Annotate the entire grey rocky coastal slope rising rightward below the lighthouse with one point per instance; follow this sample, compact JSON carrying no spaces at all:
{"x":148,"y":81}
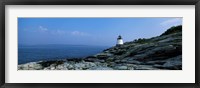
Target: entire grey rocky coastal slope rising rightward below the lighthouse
{"x":156,"y":53}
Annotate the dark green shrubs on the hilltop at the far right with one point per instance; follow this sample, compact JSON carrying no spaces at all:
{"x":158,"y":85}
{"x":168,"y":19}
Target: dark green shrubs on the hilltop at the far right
{"x":173,"y":29}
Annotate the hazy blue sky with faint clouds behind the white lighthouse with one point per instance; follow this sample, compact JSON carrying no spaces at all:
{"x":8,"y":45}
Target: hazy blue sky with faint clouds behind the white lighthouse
{"x":90,"y":31}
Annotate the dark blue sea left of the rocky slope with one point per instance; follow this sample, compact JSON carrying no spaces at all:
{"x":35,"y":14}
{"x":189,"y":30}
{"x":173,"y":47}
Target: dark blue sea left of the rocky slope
{"x":32,"y":53}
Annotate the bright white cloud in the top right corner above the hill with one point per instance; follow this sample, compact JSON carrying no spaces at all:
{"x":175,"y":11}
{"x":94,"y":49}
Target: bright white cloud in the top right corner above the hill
{"x":174,"y":21}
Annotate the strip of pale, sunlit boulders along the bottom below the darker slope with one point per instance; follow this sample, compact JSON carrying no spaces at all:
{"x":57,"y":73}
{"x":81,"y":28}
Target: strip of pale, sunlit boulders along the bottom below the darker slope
{"x":82,"y":65}
